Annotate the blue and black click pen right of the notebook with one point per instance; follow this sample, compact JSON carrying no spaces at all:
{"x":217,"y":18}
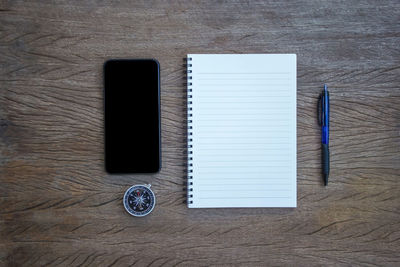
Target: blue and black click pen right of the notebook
{"x":323,"y":118}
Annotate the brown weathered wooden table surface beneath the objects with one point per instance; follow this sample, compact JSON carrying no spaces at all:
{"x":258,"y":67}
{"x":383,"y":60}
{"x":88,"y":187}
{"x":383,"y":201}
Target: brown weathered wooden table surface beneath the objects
{"x":59,"y":207}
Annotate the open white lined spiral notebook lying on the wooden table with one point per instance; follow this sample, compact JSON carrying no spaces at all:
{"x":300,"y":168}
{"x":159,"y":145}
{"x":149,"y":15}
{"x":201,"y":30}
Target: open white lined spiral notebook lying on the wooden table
{"x":241,"y":130}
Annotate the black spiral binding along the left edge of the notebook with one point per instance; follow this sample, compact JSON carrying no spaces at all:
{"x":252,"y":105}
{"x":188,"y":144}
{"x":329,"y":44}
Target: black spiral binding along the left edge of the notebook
{"x":189,"y":131}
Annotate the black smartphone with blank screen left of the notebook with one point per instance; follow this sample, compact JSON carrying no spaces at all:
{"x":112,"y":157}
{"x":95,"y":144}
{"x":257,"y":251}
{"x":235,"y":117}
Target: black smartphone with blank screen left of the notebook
{"x":132,"y":116}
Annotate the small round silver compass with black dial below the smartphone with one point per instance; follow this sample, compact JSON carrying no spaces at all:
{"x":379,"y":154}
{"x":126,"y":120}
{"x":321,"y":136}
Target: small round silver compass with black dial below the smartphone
{"x":139,"y":200}
